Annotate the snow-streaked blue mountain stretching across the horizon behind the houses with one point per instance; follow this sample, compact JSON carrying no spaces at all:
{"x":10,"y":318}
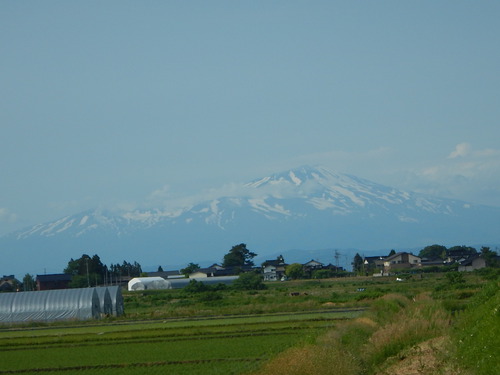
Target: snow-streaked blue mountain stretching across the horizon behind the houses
{"x":305,"y":208}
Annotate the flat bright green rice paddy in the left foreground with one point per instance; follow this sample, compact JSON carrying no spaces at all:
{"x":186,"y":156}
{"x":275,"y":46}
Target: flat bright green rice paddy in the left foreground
{"x":196,"y":346}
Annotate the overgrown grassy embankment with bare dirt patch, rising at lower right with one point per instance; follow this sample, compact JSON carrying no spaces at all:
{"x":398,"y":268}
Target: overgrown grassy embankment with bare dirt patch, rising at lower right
{"x":452,"y":329}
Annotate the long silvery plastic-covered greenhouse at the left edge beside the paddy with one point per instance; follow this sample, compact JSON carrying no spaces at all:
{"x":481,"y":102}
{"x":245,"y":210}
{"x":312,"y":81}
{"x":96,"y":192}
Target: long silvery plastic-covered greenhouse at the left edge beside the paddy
{"x":49,"y":305}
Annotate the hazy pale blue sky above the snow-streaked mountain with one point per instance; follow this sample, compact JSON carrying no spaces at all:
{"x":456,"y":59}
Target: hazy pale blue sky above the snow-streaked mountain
{"x":128,"y":103}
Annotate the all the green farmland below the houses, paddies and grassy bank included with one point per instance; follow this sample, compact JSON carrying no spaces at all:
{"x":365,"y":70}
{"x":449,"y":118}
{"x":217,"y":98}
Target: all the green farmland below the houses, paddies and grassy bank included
{"x":342,"y":326}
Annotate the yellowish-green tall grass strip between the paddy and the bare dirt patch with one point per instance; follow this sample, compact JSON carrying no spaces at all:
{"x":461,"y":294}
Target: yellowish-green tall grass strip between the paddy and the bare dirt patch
{"x":361,"y":346}
